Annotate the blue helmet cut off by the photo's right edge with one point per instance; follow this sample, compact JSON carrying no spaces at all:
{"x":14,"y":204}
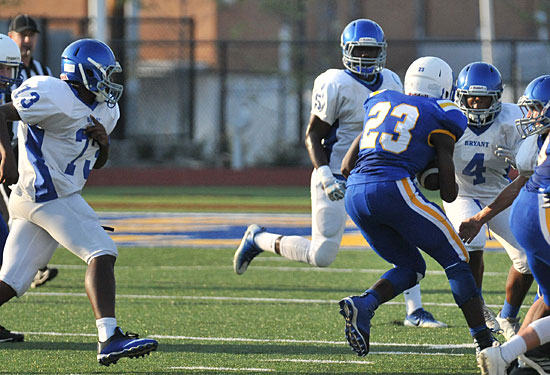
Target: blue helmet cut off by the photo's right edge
{"x":535,"y":98}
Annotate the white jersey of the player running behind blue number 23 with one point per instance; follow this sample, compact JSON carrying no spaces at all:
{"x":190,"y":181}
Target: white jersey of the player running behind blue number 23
{"x":338,"y":99}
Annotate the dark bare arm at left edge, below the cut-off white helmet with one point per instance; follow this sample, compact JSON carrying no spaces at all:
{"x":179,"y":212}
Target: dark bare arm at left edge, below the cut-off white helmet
{"x":8,"y":165}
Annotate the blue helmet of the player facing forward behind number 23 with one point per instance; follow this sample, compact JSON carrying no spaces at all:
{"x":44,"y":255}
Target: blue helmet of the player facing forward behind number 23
{"x":363,"y":33}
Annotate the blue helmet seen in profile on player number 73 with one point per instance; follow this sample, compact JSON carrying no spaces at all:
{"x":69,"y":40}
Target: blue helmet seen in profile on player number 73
{"x":91,"y":63}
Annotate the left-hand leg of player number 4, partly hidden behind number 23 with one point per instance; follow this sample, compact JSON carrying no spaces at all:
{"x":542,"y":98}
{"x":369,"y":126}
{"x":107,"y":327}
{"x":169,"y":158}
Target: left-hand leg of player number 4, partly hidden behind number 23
{"x":463,"y":208}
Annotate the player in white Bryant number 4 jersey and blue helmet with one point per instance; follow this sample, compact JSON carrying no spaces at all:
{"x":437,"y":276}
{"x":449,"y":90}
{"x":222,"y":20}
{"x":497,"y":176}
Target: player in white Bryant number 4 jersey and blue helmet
{"x":481,"y":175}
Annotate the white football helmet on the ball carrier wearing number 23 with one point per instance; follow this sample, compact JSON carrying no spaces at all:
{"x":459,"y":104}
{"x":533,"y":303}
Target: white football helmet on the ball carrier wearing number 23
{"x":430,"y":76}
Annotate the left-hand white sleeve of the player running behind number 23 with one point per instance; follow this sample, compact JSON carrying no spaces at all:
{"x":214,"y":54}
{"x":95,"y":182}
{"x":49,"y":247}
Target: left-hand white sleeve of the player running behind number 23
{"x":324,"y":99}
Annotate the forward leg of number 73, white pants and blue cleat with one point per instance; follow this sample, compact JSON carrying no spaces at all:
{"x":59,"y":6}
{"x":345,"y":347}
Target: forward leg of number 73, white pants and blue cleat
{"x":78,"y":229}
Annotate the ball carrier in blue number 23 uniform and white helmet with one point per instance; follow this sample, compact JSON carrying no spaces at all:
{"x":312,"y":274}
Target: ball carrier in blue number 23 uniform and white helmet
{"x":402,"y":133}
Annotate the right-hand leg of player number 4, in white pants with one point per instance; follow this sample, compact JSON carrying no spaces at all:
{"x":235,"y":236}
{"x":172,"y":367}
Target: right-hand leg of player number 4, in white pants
{"x":519,"y":278}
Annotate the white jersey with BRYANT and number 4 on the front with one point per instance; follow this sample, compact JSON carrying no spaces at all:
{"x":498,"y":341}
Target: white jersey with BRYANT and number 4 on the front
{"x":479,"y":172}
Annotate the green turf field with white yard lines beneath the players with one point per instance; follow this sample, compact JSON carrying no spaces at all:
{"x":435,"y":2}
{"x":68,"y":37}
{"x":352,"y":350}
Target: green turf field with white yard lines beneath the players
{"x":279,"y":317}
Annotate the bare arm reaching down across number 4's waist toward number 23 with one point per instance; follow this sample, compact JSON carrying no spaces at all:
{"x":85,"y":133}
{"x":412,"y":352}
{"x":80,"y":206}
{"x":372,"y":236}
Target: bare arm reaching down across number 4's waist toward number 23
{"x":471,"y":226}
